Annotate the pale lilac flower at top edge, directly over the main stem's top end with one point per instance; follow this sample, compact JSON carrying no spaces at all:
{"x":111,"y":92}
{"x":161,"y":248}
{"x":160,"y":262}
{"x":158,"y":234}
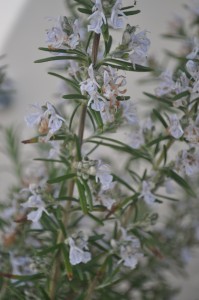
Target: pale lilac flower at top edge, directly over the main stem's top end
{"x":97,"y":18}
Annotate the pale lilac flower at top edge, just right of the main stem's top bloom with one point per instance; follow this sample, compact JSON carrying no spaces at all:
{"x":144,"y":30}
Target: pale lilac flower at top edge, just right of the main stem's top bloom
{"x":117,"y":15}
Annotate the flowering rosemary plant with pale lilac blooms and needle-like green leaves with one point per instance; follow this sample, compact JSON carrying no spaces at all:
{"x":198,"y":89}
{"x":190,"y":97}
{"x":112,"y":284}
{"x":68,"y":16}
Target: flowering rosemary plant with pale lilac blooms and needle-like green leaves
{"x":83,"y":224}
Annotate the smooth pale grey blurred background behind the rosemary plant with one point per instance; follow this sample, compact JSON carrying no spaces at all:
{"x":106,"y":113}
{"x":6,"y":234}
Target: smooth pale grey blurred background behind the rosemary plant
{"x":22,"y":31}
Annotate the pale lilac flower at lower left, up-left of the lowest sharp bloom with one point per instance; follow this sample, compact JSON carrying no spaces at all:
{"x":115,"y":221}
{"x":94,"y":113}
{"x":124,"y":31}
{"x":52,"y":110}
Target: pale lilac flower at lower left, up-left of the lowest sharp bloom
{"x":34,"y":201}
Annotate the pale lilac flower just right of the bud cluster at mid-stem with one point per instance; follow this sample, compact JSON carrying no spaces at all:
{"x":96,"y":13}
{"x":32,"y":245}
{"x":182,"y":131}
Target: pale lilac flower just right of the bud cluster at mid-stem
{"x":103,"y":175}
